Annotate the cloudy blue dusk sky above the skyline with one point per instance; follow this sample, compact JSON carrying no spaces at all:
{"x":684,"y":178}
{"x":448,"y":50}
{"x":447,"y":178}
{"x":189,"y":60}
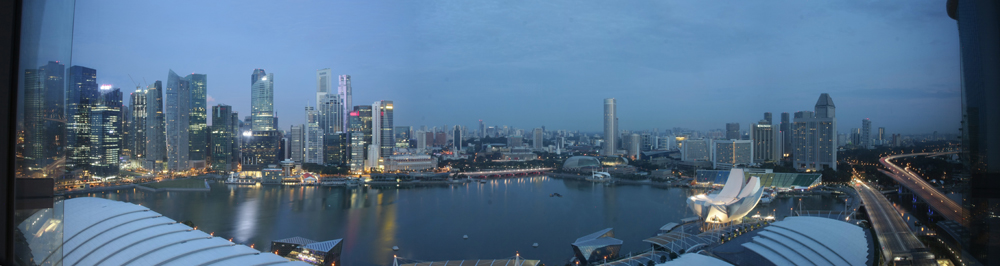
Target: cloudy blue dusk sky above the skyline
{"x":528,"y":64}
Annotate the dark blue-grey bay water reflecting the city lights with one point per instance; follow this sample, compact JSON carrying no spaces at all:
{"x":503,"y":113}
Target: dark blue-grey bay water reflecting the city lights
{"x":427,"y":223}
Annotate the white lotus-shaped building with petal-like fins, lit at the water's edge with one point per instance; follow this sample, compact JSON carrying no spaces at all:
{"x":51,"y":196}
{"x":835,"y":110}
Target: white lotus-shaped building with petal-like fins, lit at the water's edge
{"x":735,"y":200}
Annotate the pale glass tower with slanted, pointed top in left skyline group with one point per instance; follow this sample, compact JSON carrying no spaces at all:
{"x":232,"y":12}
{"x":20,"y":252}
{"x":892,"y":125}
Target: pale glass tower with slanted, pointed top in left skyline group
{"x":178,"y":115}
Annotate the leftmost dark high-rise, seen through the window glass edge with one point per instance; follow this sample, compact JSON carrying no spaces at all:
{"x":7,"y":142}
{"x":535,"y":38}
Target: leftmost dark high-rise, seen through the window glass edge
{"x":45,"y":117}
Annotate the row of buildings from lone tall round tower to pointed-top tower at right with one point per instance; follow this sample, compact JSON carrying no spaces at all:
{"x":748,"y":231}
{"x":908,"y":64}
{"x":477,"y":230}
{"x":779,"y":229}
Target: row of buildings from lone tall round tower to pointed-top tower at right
{"x":810,"y":140}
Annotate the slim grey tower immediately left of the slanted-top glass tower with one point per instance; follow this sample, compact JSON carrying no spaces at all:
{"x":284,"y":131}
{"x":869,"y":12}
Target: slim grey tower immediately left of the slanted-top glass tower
{"x":156,"y":150}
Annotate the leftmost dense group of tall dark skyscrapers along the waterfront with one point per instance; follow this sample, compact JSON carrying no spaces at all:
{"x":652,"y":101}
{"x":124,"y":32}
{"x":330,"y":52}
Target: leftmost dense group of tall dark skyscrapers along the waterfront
{"x":77,"y":125}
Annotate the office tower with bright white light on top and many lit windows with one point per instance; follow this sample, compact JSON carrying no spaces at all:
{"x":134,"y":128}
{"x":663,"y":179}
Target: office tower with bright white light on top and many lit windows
{"x":105,"y":133}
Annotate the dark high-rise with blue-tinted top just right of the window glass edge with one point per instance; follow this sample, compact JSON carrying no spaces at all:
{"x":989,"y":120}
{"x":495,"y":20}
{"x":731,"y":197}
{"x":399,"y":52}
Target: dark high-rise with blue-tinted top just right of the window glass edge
{"x":82,"y":96}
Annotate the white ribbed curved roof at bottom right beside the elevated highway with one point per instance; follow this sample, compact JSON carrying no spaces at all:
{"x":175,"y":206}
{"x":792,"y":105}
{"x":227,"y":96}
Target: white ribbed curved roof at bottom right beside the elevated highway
{"x":805,"y":240}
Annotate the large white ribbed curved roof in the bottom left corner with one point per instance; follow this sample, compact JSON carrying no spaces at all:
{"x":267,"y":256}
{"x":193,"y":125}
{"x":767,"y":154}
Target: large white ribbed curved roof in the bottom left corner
{"x":106,"y":232}
